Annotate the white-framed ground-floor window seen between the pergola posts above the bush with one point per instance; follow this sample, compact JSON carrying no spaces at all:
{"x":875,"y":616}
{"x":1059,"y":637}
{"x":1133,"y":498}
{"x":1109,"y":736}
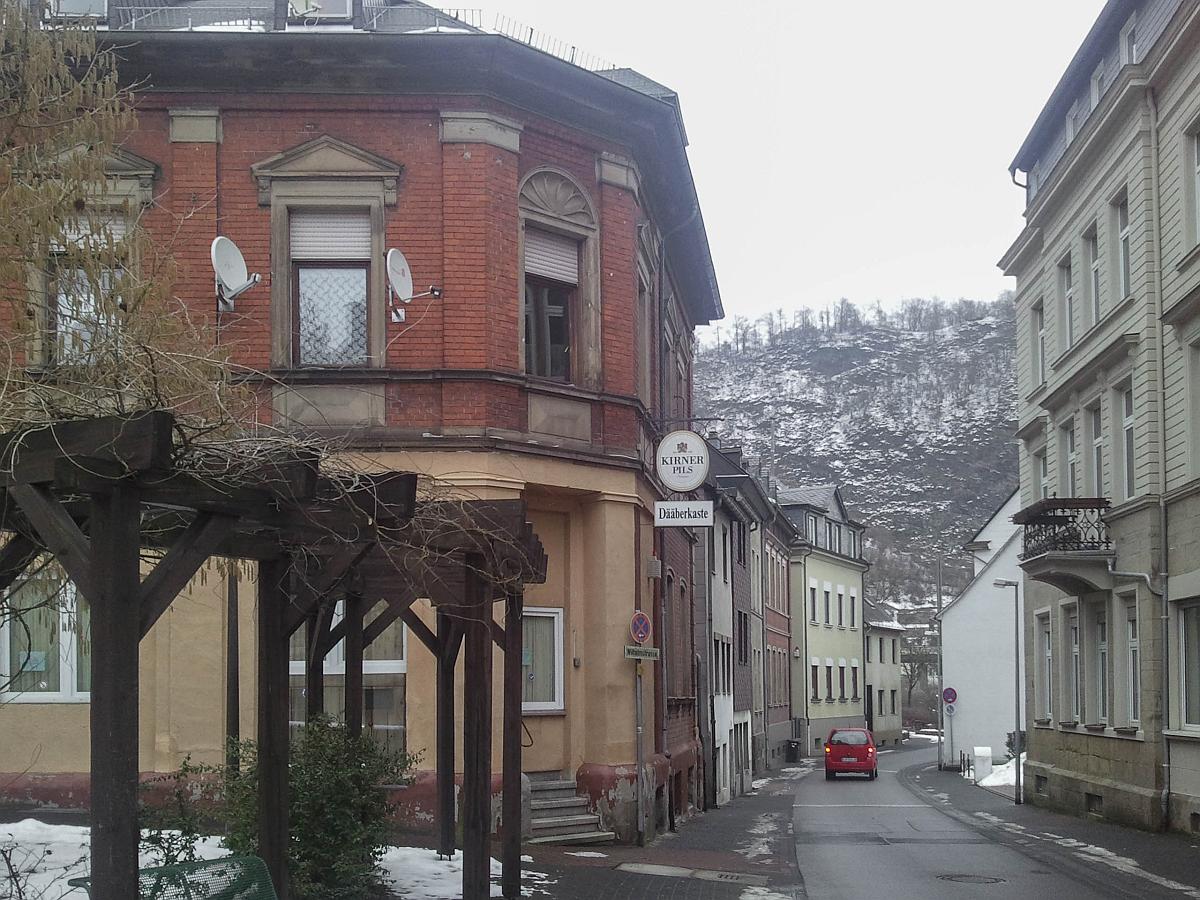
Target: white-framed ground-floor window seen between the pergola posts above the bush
{"x":385,"y":676}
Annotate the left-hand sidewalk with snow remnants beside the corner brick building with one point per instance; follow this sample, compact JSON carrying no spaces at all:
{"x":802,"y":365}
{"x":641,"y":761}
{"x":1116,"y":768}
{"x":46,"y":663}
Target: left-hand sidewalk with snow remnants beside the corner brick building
{"x":742,"y":851}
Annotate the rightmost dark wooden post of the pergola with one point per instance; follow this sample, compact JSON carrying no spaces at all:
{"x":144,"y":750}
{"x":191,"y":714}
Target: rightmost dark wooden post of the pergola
{"x":511,"y":849}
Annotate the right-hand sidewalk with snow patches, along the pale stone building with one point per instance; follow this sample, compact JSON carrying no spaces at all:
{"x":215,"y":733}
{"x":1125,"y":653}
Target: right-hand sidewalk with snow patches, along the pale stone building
{"x":1150,"y":863}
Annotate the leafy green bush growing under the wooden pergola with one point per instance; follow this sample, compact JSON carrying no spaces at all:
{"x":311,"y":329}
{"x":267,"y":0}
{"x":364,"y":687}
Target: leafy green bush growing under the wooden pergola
{"x":339,"y":814}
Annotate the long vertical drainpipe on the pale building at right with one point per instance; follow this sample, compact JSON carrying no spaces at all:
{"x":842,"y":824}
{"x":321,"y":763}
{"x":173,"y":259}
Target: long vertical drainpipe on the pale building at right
{"x":1165,"y":557}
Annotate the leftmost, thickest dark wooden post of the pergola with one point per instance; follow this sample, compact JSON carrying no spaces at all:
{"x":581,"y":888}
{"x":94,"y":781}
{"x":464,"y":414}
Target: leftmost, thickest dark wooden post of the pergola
{"x":116,"y":634}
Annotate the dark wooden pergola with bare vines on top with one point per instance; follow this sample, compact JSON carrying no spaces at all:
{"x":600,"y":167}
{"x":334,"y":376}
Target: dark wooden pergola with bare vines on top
{"x":94,"y":494}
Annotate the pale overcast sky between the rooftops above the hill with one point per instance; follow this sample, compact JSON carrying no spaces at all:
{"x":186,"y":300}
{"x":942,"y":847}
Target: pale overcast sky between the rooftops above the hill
{"x":844,"y":149}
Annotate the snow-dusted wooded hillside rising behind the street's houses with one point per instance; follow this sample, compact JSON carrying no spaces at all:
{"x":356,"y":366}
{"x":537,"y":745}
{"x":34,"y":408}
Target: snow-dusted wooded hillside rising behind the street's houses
{"x":916,"y":425}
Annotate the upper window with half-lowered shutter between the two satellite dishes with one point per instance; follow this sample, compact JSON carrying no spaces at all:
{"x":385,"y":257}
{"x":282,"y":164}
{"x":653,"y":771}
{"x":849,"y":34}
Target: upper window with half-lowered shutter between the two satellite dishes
{"x":331,"y":277}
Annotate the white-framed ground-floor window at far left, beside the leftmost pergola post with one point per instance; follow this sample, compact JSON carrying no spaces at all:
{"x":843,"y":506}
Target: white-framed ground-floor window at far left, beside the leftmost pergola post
{"x":46,"y":641}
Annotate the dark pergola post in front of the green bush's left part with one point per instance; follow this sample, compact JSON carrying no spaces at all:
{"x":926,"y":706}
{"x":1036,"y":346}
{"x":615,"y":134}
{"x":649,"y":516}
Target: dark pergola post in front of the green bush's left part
{"x":273,"y":722}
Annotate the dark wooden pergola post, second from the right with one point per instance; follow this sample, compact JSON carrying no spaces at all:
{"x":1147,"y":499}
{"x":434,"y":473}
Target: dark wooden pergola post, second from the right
{"x":477,"y":737}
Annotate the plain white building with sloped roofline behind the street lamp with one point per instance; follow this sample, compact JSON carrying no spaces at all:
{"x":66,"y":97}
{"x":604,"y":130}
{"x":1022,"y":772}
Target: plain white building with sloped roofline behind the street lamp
{"x":977,"y":641}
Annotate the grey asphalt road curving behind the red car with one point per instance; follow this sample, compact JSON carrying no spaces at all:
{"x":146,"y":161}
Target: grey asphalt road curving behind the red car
{"x":859,"y":839}
